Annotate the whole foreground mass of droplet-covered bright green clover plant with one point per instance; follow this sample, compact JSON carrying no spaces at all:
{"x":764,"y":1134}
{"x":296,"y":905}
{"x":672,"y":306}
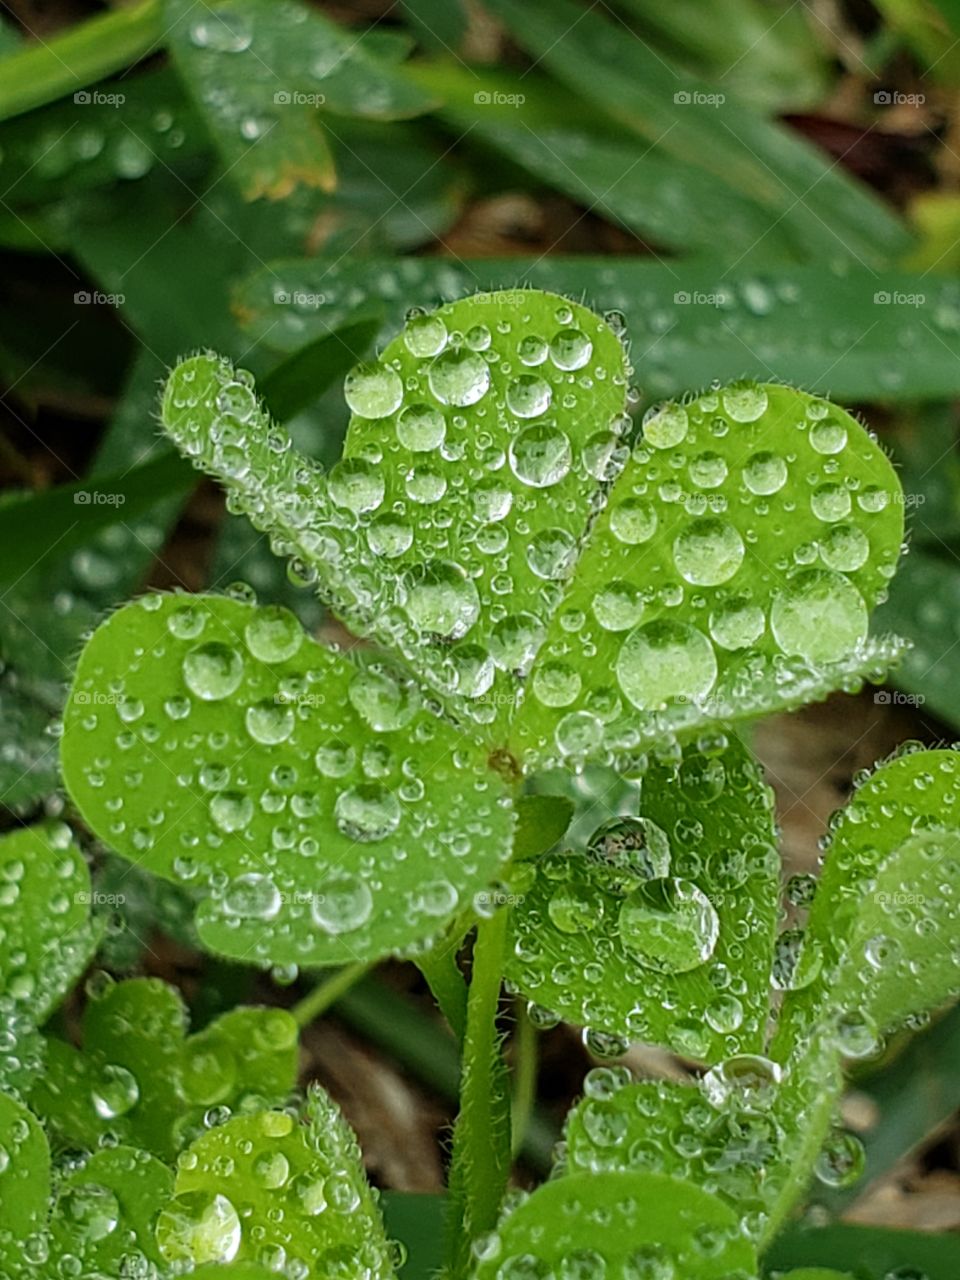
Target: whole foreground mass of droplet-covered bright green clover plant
{"x":532,"y":588}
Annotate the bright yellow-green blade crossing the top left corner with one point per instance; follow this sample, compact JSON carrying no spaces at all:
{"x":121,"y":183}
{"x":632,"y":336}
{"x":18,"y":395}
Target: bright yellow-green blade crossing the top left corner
{"x":43,"y":72}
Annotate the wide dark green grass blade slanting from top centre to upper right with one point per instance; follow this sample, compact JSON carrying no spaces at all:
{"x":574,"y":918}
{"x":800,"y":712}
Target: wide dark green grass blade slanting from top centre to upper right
{"x":737,"y":147}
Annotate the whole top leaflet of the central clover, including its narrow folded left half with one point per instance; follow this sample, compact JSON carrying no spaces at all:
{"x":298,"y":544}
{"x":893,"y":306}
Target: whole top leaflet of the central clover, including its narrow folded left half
{"x":487,"y":474}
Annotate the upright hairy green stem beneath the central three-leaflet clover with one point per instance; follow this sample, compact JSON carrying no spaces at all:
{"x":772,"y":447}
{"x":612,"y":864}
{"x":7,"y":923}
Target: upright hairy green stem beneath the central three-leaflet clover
{"x":482,"y":1151}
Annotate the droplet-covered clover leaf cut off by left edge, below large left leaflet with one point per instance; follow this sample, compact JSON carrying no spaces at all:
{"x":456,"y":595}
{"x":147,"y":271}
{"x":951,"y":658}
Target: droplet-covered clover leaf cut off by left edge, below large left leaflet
{"x":47,"y":936}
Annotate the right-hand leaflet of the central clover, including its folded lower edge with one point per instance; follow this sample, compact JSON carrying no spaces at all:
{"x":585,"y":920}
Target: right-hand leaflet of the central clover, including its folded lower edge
{"x":730,"y":574}
